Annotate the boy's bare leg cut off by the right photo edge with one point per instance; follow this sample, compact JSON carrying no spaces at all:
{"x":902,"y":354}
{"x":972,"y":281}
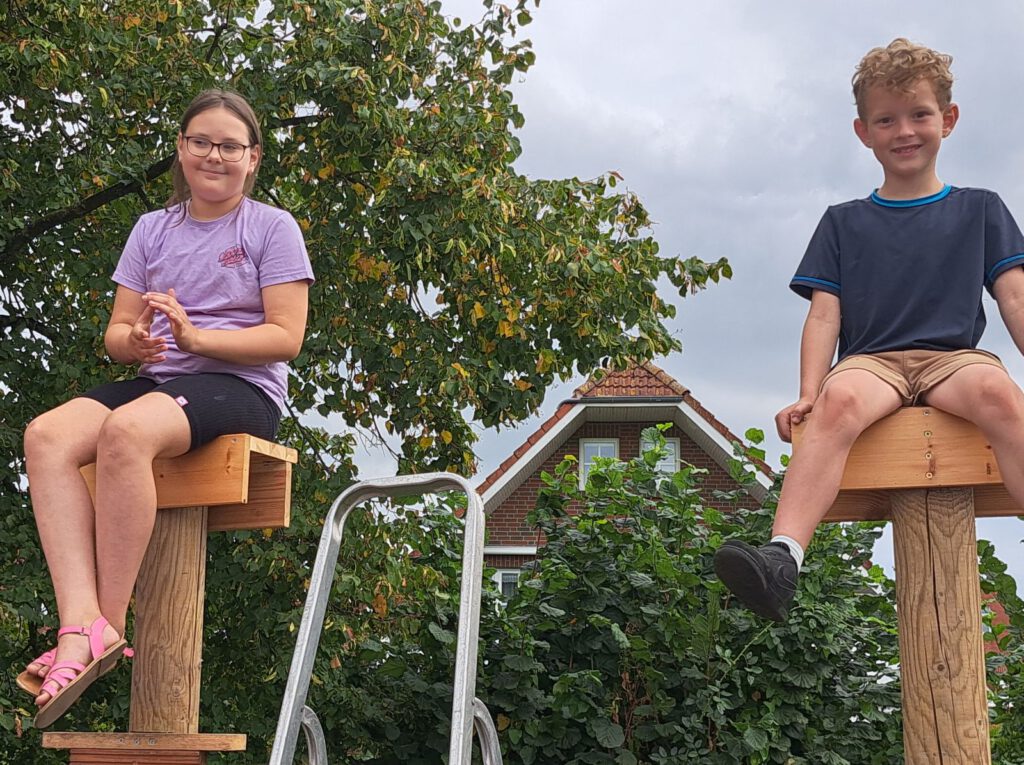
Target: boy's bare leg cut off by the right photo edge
{"x":985,"y":395}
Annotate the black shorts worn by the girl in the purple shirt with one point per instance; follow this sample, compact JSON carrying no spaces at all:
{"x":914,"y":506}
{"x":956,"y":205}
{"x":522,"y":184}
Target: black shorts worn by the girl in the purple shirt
{"x":216,"y":405}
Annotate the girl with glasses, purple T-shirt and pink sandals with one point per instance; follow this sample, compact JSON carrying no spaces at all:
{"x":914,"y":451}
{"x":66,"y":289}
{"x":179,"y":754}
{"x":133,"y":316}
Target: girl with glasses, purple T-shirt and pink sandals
{"x":211,"y":302}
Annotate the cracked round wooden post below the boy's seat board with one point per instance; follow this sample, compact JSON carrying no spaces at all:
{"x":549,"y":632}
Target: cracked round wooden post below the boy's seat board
{"x":943,"y":670}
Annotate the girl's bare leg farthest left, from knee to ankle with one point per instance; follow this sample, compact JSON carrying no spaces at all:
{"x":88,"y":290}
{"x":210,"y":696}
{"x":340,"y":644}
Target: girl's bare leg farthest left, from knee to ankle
{"x":57,"y":445}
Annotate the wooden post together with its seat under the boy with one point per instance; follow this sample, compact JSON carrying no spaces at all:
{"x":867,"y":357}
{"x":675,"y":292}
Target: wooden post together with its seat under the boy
{"x":932,"y":475}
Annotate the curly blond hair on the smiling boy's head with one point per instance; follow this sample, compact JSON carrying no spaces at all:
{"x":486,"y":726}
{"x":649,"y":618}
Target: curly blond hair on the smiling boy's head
{"x":900,"y":67}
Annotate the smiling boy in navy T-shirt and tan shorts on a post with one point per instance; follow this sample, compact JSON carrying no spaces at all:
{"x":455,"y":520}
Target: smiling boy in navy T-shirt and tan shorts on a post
{"x":897,"y":280}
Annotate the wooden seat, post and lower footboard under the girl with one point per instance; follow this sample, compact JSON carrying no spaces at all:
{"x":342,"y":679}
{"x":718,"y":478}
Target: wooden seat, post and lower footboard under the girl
{"x":234,"y":483}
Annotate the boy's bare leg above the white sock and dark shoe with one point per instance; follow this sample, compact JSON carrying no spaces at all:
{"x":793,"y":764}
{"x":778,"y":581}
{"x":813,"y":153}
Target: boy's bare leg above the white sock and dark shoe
{"x":849,"y":403}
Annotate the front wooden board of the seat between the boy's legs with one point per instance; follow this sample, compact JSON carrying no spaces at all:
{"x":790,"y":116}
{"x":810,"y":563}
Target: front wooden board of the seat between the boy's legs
{"x":918,"y":448}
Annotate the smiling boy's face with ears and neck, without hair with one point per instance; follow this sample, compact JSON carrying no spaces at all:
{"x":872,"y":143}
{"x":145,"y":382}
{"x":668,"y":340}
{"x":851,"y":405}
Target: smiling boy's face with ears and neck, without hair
{"x":905,"y":132}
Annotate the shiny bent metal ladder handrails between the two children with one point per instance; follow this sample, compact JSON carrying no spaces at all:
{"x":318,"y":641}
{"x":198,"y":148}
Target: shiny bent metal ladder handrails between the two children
{"x":467,"y":711}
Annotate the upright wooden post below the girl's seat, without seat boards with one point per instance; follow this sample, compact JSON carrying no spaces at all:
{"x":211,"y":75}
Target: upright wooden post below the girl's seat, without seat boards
{"x":169,"y":598}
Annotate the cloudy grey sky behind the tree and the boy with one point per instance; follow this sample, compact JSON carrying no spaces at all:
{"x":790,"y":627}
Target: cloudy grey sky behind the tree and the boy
{"x":733,"y":122}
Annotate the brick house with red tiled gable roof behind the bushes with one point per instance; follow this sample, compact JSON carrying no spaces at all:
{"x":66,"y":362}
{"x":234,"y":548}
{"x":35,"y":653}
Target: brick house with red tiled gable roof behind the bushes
{"x":605,"y":418}
